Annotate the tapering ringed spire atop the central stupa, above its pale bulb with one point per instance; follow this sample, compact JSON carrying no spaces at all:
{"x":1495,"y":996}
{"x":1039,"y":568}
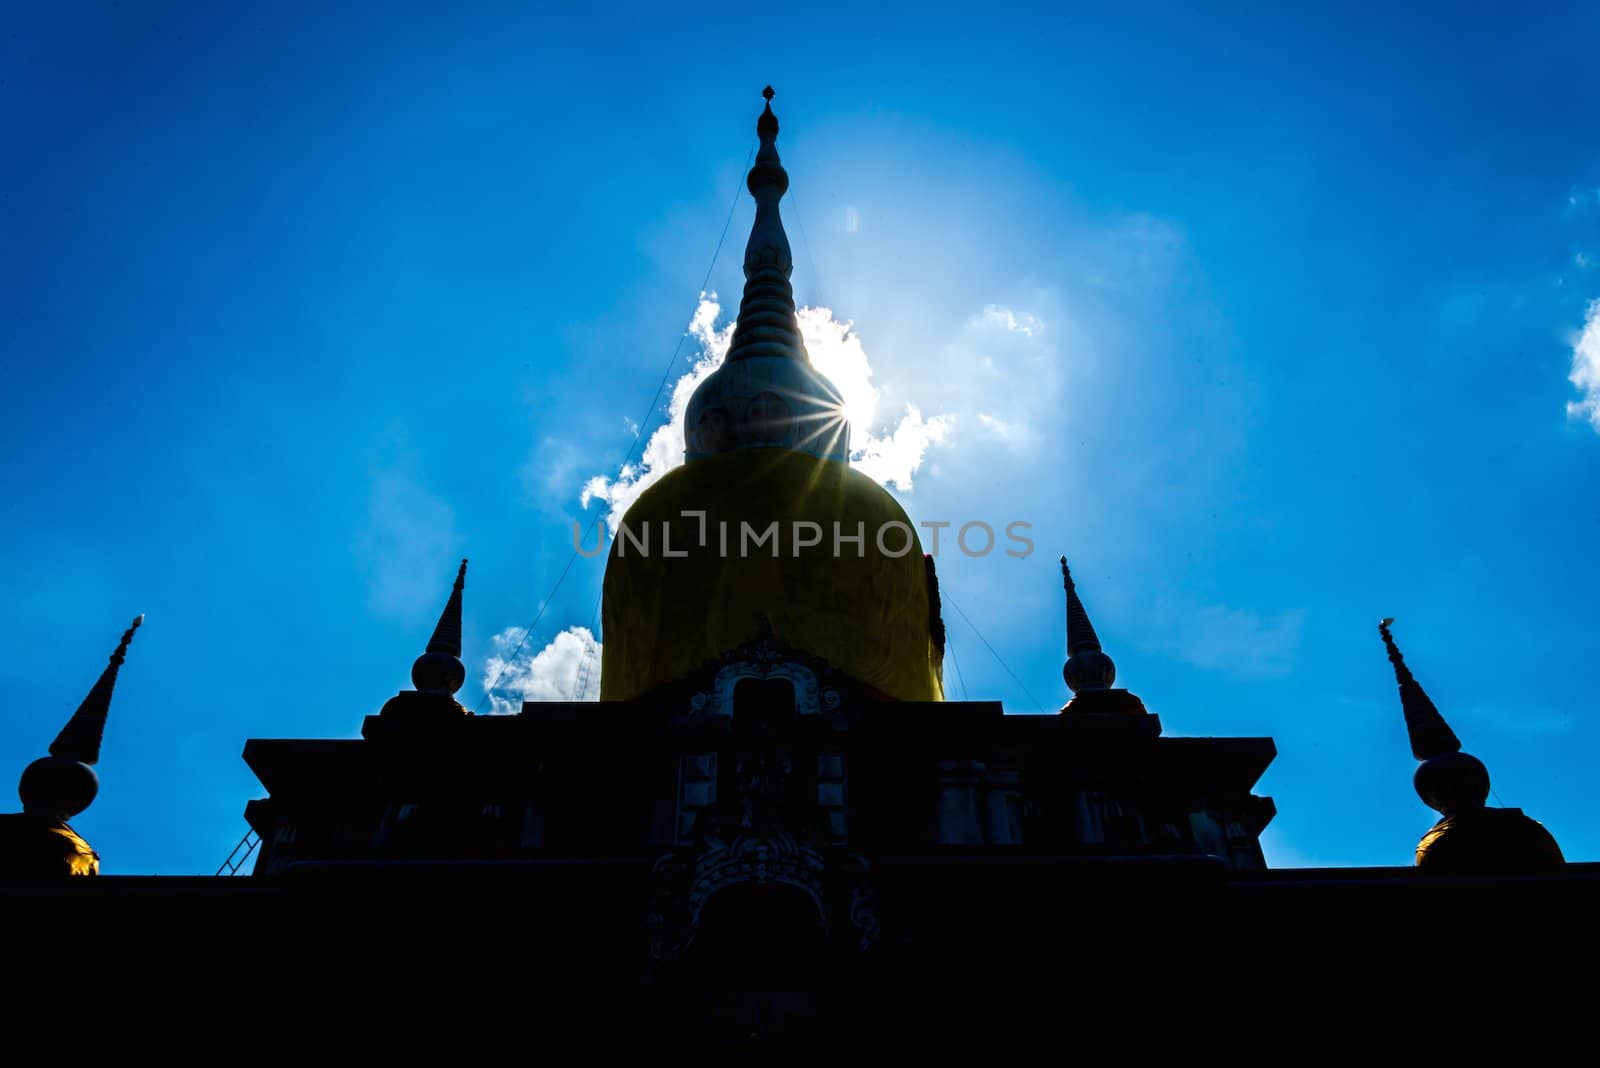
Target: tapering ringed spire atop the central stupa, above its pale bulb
{"x":767,"y":314}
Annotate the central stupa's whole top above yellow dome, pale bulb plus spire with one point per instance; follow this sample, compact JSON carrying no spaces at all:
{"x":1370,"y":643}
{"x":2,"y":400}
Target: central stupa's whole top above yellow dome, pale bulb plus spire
{"x":767,"y":394}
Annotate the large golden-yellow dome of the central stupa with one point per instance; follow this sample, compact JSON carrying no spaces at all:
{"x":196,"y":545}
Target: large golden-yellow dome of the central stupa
{"x":727,"y":541}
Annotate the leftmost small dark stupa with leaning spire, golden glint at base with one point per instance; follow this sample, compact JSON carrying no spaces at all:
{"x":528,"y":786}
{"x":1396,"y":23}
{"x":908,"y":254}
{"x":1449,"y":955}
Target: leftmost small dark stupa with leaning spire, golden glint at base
{"x":39,"y":843}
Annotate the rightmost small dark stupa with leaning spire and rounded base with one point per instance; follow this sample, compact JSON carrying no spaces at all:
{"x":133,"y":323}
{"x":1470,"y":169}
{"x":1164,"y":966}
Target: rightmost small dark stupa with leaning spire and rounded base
{"x":1471,"y":839}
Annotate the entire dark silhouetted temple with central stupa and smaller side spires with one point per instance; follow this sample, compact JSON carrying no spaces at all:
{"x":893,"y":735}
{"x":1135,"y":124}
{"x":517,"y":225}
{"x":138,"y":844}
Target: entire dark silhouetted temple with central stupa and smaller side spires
{"x":775,"y":829}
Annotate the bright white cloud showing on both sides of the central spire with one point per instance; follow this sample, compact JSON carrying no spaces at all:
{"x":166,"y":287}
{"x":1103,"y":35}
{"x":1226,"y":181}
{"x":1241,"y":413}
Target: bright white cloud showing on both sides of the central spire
{"x":890,"y":458}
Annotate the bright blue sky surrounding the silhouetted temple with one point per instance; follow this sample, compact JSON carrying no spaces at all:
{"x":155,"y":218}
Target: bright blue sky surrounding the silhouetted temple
{"x":1266,"y":319}
